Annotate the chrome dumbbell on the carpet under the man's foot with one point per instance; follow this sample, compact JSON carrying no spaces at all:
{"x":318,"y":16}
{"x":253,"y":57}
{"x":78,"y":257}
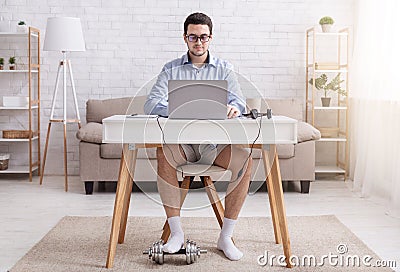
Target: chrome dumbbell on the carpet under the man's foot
{"x":192,"y":251}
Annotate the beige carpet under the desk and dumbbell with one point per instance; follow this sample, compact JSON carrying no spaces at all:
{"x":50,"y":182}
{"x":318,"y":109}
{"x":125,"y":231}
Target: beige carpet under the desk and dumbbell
{"x":81,"y":244}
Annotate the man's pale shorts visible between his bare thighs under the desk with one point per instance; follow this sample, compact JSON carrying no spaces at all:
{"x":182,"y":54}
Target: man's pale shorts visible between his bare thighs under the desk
{"x":202,"y":153}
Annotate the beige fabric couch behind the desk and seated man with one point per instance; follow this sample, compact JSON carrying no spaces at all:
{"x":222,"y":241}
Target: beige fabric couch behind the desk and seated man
{"x":100,"y":162}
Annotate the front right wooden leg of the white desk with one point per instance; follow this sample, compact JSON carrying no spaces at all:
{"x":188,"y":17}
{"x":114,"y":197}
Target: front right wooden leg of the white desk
{"x":280,"y":206}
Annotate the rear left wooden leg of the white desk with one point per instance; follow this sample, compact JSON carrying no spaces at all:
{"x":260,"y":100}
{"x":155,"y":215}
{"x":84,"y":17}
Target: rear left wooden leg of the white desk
{"x":130,"y":158}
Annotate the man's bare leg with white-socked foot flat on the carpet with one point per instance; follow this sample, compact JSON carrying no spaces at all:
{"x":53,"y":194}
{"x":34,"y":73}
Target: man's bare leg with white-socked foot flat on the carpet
{"x":238,"y":162}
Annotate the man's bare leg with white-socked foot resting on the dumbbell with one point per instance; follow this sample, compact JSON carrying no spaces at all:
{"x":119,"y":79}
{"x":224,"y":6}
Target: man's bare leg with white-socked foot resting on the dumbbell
{"x":168,"y":158}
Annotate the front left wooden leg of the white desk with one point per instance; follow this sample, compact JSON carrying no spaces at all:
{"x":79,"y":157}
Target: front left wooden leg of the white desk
{"x":123,"y":180}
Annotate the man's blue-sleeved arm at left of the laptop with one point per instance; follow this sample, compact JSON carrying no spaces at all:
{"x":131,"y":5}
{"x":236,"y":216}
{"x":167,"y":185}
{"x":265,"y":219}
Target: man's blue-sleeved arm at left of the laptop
{"x":157,"y":100}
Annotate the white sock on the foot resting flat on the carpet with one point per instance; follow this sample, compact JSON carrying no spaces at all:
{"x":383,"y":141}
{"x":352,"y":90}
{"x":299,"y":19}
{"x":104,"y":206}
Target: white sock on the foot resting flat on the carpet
{"x":225,"y":241}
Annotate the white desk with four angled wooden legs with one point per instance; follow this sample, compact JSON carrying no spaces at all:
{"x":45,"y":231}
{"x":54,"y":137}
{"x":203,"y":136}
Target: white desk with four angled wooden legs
{"x":136,"y":132}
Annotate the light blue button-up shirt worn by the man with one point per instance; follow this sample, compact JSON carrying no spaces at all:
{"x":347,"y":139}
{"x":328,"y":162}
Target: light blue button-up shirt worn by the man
{"x":183,"y":69}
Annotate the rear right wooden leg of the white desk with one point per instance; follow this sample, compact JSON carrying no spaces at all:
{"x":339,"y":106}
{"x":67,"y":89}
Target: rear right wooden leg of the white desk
{"x":271,"y":195}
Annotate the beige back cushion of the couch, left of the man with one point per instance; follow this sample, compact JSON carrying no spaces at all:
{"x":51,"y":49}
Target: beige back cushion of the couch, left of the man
{"x":97,"y":110}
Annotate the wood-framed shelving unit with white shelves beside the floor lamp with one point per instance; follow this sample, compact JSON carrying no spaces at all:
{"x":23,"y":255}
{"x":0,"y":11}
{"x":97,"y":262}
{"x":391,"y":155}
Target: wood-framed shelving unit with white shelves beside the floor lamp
{"x":33,"y":109}
